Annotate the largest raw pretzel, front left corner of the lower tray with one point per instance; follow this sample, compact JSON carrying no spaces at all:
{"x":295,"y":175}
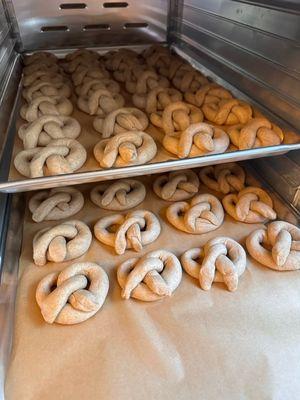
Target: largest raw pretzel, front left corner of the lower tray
{"x":73,"y":295}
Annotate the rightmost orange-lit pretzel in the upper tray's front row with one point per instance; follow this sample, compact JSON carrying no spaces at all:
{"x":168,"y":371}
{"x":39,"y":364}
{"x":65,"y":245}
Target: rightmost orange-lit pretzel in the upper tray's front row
{"x":258,"y":132}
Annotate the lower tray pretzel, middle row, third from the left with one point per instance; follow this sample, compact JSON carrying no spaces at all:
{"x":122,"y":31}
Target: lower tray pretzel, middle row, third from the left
{"x":203,"y":214}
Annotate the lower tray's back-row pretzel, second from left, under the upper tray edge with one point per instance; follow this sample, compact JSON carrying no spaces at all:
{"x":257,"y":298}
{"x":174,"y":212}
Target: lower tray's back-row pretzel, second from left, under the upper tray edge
{"x":118,"y":195}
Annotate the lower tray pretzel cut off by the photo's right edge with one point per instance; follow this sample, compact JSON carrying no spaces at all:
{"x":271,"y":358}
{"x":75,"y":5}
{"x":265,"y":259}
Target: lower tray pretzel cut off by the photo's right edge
{"x":277,"y":246}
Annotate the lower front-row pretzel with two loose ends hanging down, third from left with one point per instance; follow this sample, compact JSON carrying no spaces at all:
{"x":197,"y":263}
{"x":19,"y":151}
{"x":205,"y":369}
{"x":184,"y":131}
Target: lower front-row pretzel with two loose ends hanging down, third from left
{"x":221,"y":260}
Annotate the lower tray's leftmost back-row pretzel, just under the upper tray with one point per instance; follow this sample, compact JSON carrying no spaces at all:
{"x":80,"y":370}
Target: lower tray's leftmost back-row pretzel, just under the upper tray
{"x":55,"y":204}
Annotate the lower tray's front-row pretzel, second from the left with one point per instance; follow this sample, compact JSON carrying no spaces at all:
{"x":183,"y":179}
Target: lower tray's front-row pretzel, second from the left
{"x":149,"y":278}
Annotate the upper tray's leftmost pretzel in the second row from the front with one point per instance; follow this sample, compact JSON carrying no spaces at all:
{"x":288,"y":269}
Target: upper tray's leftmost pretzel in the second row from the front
{"x":46,"y":128}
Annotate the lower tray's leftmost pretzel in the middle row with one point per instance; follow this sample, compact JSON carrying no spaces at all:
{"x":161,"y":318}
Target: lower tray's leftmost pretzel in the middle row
{"x":63,"y":242}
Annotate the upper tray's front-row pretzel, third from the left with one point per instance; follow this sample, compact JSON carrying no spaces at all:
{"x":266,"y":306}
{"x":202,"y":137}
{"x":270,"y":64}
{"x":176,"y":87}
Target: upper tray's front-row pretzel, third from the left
{"x":197,"y":140}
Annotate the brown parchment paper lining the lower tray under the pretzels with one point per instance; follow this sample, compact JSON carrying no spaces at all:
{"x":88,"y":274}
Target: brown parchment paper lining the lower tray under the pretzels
{"x":193,"y":345}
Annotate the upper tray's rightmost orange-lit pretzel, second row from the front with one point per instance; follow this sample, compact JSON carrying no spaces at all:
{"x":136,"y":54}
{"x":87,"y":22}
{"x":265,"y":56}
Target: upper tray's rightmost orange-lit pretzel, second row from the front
{"x":228,"y":112}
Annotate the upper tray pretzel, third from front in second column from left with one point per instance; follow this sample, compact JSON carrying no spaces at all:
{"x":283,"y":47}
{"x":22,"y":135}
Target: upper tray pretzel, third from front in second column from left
{"x":100,"y":102}
